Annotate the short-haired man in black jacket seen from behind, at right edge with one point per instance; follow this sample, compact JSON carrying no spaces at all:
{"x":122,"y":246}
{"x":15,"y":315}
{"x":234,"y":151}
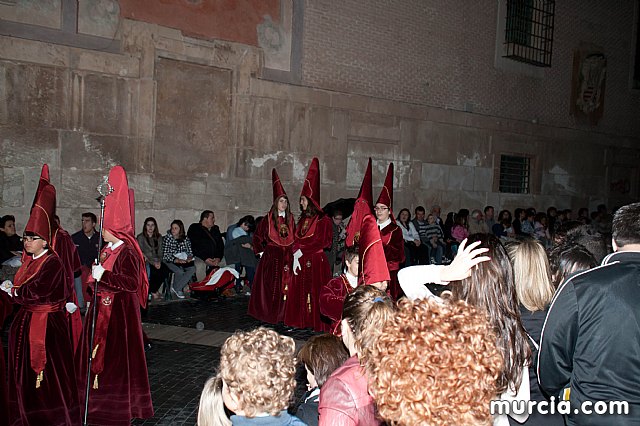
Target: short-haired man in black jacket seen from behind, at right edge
{"x":591,"y":338}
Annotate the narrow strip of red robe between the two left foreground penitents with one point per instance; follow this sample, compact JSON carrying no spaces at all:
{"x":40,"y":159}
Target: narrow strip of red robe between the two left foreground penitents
{"x":66,"y":249}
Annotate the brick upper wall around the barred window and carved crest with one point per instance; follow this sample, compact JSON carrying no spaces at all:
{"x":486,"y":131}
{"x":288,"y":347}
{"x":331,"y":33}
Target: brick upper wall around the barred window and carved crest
{"x":442,"y":53}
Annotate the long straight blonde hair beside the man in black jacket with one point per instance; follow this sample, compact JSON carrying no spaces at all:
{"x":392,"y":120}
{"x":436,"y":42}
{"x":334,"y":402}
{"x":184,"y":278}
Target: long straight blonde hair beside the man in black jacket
{"x":532,"y":275}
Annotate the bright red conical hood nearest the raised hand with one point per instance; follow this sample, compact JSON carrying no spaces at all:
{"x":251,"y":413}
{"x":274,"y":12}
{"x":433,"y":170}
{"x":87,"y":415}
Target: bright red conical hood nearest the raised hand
{"x":373,"y":264}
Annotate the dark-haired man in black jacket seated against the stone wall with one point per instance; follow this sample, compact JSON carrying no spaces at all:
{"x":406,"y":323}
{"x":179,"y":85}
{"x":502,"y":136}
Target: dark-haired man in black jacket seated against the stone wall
{"x":207,"y":244}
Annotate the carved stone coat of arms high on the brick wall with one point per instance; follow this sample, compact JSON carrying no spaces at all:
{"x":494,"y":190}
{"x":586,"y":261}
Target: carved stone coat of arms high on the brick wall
{"x":589,"y":77}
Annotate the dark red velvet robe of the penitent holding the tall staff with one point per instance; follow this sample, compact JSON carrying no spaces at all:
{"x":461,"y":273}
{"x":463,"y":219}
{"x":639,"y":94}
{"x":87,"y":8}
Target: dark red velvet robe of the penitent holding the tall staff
{"x":122,"y":391}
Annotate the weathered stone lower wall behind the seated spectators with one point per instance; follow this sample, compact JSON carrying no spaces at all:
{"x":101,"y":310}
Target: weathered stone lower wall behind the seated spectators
{"x":197,"y":126}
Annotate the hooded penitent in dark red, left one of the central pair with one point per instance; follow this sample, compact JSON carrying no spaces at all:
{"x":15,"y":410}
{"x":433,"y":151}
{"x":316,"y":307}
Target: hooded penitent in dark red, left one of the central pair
{"x":273,"y":240}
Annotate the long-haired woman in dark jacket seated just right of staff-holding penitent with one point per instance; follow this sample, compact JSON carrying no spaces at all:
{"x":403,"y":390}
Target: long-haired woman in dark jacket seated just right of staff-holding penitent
{"x":150,"y":242}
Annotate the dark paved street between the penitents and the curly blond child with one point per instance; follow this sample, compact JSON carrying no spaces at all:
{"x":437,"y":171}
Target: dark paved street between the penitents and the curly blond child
{"x":182,"y":356}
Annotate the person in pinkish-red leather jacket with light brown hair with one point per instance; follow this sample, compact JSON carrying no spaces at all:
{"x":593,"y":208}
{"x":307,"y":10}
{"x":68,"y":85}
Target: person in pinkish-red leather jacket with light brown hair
{"x":344,"y":398}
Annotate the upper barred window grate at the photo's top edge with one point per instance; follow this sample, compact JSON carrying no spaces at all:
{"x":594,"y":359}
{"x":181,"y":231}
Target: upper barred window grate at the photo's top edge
{"x":529,"y":31}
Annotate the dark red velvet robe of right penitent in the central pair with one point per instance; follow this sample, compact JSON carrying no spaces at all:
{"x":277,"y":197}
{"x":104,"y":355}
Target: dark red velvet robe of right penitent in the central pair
{"x":302,"y":309}
